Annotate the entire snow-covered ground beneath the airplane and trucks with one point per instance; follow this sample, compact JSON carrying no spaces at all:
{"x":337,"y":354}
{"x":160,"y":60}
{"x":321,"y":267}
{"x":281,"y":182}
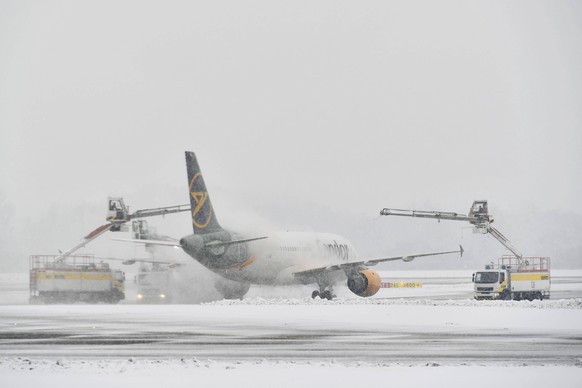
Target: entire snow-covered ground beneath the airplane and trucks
{"x":434,"y":335}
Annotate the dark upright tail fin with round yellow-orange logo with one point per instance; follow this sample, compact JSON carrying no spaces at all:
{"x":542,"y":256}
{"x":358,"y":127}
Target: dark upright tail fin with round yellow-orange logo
{"x":203,"y":217}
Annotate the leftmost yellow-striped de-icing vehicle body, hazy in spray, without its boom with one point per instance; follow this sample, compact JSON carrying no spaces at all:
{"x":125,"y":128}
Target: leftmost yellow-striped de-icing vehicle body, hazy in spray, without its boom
{"x":72,"y":279}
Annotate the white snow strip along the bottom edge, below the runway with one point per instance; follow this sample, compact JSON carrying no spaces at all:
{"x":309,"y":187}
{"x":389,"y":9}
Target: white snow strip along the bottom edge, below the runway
{"x":127,"y":373}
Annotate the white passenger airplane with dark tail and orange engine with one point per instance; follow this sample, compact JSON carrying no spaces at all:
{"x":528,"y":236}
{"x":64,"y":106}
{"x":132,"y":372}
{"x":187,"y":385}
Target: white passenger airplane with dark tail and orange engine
{"x":277,"y":258}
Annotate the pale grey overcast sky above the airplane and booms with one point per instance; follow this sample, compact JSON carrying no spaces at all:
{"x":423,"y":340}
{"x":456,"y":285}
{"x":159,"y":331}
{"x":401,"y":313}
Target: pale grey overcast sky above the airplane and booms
{"x":291,"y":107}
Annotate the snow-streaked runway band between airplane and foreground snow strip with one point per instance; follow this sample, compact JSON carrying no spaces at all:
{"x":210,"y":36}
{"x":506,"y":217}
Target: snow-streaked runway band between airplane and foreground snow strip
{"x":452,"y":332}
